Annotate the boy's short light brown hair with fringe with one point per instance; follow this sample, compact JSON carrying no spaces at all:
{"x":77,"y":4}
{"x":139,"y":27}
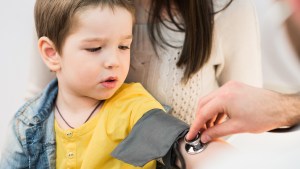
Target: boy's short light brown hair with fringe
{"x":54,"y":18}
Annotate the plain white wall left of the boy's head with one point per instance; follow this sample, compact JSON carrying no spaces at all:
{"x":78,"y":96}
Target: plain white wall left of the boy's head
{"x":16,"y":44}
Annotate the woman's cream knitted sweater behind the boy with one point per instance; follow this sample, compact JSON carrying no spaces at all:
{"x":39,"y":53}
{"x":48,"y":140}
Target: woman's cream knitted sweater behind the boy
{"x":235,"y":56}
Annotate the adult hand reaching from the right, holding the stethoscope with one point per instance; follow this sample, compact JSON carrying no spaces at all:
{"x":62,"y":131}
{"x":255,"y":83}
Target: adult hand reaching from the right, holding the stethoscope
{"x":249,"y":109}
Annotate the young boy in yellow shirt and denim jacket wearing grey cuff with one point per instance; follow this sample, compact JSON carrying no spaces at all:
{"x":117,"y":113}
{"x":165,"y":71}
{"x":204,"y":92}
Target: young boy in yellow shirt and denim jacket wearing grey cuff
{"x":83,"y":115}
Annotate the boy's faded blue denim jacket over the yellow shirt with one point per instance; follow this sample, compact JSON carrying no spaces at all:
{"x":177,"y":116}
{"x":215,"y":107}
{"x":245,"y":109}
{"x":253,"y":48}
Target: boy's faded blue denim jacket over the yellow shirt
{"x":31,"y":137}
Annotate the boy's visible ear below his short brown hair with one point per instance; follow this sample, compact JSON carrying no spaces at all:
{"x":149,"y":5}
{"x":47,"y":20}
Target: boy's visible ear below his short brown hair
{"x":49,"y":53}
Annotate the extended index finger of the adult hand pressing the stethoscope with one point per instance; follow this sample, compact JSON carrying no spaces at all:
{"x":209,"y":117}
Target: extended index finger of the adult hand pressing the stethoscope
{"x":204,"y":114}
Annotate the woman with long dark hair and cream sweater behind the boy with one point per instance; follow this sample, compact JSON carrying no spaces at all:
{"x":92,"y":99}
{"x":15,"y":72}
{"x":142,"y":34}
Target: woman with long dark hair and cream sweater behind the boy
{"x":197,"y":47}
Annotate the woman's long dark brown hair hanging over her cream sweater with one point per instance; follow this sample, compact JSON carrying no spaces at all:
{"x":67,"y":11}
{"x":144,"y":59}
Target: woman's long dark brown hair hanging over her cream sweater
{"x":198,"y":24}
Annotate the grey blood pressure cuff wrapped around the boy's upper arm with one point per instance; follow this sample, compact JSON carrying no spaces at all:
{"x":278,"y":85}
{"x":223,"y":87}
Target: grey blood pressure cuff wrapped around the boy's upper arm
{"x":152,"y":137}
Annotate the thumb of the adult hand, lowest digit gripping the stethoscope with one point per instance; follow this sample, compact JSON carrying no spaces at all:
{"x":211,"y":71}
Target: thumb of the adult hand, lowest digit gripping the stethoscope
{"x":224,"y":129}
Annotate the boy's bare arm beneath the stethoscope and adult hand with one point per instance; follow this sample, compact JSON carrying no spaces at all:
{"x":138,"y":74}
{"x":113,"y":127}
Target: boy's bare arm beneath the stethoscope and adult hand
{"x":212,"y":153}
